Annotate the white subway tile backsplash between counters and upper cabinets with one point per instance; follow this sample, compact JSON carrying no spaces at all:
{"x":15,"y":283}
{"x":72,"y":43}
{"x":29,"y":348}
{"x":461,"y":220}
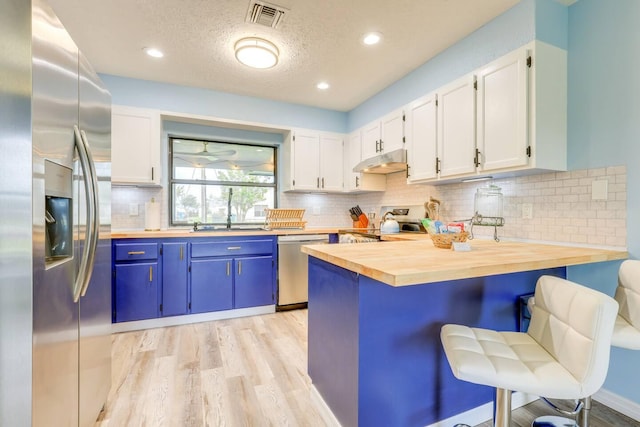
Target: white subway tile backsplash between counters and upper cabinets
{"x":562,"y":207}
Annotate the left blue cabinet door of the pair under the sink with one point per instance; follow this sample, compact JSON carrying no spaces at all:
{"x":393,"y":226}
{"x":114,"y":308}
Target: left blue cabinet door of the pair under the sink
{"x":211,"y":285}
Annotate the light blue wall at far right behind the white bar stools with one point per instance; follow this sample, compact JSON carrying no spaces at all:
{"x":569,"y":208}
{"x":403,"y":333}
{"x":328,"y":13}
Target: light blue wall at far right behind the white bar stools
{"x":604,"y":130}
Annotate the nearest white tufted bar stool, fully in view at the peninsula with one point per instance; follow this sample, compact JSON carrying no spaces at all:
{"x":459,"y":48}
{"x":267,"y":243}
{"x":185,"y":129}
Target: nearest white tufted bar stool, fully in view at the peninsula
{"x":563,"y":355}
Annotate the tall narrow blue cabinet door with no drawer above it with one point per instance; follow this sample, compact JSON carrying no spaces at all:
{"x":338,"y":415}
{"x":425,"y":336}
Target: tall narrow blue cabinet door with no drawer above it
{"x":174,"y":279}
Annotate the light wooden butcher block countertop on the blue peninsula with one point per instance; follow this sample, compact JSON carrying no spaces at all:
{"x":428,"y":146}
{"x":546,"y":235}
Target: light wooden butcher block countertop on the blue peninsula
{"x":413,"y":262}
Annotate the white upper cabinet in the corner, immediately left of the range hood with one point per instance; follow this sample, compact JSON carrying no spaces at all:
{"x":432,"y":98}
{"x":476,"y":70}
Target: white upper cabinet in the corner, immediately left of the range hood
{"x":358,"y":181}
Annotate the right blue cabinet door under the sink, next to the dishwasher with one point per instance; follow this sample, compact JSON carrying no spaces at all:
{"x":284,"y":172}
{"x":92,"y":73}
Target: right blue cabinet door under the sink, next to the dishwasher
{"x":254,"y":281}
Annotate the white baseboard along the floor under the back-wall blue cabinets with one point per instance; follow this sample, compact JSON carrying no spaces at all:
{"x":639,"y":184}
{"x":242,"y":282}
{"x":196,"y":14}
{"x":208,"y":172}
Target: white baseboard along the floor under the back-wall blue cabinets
{"x":190,"y":318}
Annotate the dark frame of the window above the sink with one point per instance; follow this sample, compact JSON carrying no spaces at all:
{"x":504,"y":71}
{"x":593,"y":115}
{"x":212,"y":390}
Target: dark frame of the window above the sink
{"x":202,"y":182}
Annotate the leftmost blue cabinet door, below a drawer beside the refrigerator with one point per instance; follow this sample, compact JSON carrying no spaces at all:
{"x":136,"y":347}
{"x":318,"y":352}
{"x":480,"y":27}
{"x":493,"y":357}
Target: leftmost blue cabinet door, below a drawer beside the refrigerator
{"x":136,"y":293}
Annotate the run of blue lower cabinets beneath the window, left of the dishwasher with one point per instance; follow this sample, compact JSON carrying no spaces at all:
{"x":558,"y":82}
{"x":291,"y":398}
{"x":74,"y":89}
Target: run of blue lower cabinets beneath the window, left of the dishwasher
{"x":178,"y":276}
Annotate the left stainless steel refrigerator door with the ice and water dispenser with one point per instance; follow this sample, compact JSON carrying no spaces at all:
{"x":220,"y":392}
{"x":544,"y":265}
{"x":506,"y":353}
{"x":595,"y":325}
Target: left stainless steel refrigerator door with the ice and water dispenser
{"x":55,"y":316}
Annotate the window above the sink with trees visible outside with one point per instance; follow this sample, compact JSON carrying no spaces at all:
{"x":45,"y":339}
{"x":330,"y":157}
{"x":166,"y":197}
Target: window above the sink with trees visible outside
{"x":220,"y":183}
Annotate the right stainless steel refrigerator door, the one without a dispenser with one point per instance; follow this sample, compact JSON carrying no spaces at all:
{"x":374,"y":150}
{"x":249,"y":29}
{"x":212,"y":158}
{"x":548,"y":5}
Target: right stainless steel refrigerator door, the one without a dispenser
{"x":95,"y":304}
